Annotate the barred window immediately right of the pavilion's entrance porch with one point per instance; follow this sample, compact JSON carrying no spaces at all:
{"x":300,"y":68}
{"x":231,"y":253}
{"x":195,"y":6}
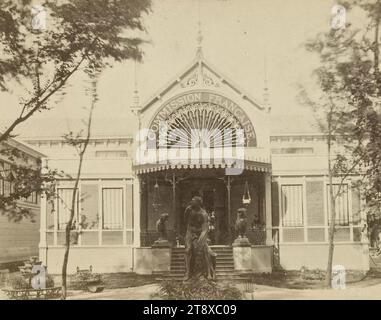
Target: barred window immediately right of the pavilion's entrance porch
{"x":292,"y":205}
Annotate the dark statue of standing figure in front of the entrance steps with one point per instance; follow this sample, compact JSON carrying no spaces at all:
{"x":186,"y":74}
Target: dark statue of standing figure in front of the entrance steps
{"x":199,"y":258}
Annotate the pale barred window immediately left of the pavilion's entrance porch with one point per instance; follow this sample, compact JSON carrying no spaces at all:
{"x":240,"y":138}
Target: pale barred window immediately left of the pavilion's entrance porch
{"x":112,"y":208}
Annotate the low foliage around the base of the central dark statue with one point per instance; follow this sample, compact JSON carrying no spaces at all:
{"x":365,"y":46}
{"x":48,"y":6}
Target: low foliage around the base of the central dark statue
{"x":201,"y":289}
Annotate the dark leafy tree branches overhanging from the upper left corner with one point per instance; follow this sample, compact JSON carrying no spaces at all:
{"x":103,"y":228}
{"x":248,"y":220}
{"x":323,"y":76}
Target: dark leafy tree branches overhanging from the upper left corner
{"x":81,"y":35}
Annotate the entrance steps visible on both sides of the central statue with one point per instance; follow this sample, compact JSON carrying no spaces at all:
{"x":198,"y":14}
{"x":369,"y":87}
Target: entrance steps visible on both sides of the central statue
{"x":224,"y":265}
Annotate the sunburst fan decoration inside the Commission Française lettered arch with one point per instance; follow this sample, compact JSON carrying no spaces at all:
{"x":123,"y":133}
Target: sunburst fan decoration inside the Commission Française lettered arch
{"x":202,"y":125}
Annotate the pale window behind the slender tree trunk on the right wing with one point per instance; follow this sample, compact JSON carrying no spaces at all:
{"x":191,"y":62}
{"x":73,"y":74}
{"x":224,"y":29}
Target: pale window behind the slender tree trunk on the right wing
{"x":341,"y":204}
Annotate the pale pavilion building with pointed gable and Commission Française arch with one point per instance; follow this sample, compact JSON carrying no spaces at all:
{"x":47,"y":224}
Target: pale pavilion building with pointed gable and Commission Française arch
{"x":203,"y":135}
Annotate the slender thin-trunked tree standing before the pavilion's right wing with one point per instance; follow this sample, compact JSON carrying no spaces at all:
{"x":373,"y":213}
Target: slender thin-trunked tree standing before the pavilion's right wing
{"x":334,"y":117}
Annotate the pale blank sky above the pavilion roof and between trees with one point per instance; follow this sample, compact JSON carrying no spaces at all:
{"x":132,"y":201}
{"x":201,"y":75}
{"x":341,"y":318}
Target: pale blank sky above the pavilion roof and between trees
{"x":238,"y":37}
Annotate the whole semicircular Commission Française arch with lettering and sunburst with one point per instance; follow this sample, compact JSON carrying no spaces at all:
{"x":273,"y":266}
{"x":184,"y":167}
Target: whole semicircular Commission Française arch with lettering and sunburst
{"x":202,"y":119}
